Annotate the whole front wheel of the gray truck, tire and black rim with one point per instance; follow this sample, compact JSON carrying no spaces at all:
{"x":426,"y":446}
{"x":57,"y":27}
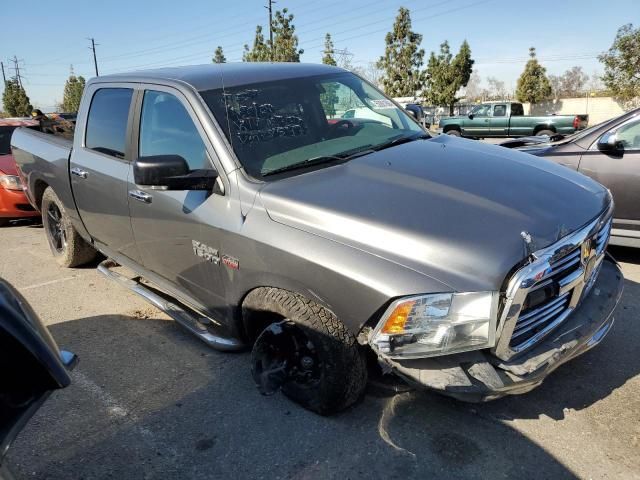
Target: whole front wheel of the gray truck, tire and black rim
{"x":308,"y":353}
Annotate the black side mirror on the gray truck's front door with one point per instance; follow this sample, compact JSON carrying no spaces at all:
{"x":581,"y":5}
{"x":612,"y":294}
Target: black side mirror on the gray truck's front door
{"x":171,"y":172}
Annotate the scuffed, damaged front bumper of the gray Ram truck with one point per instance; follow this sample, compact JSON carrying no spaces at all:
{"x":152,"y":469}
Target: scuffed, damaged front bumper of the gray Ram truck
{"x":479,"y":376}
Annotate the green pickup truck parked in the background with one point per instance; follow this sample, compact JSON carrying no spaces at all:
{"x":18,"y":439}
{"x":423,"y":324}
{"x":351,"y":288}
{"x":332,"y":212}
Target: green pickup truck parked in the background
{"x":507,"y":119}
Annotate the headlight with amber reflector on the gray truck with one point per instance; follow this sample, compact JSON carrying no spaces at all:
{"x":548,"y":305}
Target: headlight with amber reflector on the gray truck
{"x":437,"y":324}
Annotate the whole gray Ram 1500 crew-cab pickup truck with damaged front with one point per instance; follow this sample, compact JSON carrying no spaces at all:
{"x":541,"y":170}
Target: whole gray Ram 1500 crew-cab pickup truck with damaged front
{"x":336,"y":248}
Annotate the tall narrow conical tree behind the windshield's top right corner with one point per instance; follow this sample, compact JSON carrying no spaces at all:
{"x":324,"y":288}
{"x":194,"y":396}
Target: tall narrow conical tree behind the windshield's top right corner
{"x":403,"y":59}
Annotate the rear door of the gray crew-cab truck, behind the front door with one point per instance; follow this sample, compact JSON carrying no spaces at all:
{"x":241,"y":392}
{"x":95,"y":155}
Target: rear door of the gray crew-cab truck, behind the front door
{"x":100,"y":164}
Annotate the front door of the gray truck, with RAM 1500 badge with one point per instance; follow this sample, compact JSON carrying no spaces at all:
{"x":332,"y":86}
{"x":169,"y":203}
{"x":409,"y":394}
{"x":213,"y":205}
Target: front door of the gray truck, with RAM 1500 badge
{"x":173,"y":227}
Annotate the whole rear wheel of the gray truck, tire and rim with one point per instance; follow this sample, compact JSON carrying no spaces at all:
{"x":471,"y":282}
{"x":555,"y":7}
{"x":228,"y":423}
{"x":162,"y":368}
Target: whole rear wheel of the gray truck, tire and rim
{"x":67,"y":246}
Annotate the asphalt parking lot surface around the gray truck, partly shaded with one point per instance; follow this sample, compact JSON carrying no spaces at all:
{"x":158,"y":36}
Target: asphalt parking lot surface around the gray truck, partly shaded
{"x":148,"y":400}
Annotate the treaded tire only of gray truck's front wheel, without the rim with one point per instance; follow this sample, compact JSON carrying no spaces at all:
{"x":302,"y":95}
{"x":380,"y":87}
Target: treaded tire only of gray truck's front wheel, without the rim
{"x":343,"y":366}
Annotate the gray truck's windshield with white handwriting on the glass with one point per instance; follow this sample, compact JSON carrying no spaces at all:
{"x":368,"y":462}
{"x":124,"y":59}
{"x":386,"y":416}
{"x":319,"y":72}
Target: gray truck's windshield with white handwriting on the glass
{"x":282,"y":125}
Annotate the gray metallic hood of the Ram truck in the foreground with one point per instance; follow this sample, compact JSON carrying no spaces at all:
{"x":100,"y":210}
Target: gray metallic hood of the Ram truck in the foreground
{"x":450,"y":208}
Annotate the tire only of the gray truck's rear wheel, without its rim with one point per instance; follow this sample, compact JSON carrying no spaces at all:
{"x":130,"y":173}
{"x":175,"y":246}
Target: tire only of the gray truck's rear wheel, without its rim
{"x":76,"y":251}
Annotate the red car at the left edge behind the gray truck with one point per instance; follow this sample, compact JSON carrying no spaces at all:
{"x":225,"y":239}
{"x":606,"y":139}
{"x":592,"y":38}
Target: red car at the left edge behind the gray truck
{"x":13,"y":202}
